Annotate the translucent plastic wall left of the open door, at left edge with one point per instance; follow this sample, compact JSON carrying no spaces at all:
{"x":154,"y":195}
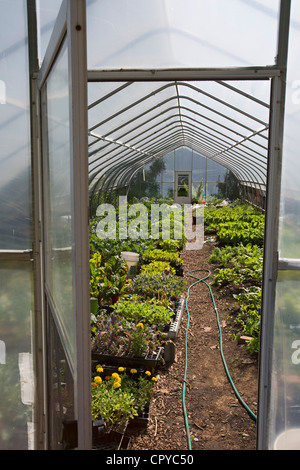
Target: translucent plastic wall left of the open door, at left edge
{"x":16,"y":276}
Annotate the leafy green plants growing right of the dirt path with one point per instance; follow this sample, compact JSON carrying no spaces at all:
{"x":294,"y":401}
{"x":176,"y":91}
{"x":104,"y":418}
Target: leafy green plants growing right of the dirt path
{"x":239,"y":230}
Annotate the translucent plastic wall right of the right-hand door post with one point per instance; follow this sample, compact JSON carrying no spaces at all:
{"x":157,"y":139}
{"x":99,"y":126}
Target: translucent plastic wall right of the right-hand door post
{"x":284,"y":413}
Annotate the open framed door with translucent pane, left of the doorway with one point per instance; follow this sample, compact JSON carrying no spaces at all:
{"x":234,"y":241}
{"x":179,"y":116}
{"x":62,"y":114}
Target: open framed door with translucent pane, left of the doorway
{"x":62,"y":80}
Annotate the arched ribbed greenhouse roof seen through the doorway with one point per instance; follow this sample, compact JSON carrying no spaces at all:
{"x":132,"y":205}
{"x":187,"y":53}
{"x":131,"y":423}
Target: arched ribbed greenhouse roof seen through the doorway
{"x":147,"y":128}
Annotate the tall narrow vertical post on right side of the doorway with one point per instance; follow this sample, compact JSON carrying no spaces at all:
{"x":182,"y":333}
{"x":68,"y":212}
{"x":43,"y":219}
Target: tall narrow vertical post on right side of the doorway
{"x":271,"y":226}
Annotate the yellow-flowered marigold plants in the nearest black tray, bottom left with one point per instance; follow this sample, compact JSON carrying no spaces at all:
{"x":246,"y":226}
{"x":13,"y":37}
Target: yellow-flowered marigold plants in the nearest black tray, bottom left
{"x":120,"y":396}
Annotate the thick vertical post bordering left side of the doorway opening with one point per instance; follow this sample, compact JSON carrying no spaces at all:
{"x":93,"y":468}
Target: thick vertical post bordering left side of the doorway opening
{"x":76,"y":21}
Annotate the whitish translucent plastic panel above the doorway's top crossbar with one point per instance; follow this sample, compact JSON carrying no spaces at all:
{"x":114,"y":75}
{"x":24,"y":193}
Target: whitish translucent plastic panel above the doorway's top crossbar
{"x":176,"y":33}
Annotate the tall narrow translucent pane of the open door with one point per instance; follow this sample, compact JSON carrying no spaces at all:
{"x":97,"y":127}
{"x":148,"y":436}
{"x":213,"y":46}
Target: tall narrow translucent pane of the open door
{"x":58,"y":215}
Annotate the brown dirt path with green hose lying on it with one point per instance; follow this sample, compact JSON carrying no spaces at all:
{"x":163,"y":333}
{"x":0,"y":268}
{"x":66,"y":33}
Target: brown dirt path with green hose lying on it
{"x":217,"y":420}
